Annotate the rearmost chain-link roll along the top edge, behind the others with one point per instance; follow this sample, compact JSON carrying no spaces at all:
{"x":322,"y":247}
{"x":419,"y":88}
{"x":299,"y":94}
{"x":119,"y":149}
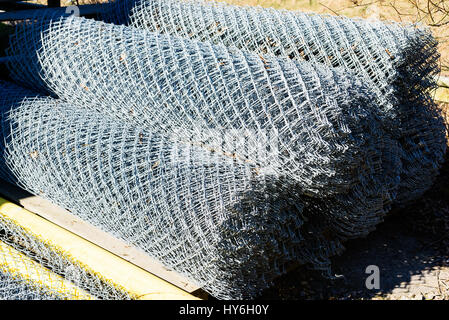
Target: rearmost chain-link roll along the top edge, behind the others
{"x":380,"y":53}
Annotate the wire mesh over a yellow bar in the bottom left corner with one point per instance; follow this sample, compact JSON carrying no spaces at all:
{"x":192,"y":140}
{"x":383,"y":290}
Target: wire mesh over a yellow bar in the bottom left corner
{"x":31,"y":268}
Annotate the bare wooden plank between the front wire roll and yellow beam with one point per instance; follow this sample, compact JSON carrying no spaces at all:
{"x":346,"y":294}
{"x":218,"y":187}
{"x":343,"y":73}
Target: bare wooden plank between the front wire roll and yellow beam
{"x":70,"y":222}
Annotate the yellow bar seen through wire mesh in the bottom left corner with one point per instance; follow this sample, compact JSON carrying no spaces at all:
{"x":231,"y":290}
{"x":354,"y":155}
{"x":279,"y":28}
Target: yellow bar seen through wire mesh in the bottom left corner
{"x":22,"y":268}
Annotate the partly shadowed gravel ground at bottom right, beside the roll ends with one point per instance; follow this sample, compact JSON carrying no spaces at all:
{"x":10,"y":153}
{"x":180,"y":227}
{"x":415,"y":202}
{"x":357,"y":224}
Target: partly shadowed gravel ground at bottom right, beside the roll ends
{"x":412,"y":266}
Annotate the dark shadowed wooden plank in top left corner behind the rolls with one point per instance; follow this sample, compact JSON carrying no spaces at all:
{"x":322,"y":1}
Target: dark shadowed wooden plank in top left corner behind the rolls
{"x":84,"y":10}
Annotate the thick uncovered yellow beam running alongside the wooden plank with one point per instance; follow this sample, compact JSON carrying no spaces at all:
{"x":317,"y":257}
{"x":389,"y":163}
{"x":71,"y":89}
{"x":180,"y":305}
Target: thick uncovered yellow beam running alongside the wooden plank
{"x":137,"y":282}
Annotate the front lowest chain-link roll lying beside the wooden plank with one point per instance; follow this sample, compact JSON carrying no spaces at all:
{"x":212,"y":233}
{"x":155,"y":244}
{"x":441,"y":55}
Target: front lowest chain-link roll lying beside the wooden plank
{"x":199,"y":212}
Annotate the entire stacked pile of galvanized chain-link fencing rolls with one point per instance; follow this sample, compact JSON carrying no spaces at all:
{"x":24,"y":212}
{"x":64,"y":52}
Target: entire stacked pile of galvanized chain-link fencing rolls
{"x":225,"y":162}
